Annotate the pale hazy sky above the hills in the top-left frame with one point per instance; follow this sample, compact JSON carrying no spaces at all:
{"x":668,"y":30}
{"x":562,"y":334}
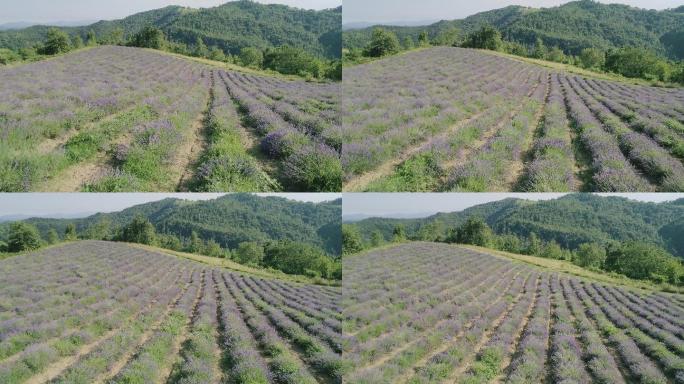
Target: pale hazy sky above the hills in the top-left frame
{"x":78,"y":10}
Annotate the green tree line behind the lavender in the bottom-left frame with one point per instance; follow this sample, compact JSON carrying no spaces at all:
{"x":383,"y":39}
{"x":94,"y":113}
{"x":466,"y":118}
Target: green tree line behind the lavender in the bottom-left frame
{"x":290,"y":257}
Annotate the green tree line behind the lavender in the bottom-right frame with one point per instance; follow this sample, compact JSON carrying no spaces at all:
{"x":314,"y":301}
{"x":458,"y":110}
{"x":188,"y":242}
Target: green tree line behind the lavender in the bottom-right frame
{"x":635,"y":259}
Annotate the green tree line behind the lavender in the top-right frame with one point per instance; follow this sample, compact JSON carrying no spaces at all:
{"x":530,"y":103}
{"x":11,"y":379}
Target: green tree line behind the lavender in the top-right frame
{"x":628,"y":61}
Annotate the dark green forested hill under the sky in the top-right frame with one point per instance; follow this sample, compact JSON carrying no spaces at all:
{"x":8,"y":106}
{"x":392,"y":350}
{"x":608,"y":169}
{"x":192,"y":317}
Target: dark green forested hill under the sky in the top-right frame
{"x":572,"y":27}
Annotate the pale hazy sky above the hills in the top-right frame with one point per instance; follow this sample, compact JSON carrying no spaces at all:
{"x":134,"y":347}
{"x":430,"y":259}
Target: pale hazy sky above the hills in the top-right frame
{"x":379,"y":11}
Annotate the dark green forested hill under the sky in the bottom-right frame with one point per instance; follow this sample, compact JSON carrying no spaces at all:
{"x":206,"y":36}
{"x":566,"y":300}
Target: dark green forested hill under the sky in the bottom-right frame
{"x":569,"y":220}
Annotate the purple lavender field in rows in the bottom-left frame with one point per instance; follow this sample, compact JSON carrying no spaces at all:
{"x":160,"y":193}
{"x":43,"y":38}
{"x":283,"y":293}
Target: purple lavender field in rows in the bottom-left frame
{"x":100,"y":312}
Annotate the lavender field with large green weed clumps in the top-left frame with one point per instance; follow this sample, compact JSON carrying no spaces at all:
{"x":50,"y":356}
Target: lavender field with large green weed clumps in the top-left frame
{"x":126,"y":119}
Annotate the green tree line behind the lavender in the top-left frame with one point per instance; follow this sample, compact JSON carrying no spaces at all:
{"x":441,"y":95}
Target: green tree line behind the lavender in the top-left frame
{"x":285,"y":59}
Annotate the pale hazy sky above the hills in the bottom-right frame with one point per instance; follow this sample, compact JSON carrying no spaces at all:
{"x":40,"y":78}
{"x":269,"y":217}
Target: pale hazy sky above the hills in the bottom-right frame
{"x":411,"y":204}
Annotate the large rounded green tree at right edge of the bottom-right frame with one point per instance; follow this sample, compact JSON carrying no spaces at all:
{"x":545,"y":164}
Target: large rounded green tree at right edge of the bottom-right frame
{"x":640,"y":260}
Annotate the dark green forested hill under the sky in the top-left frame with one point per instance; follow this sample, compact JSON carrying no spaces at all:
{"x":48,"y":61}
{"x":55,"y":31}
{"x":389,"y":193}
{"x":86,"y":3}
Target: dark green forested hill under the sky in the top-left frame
{"x":231,"y":27}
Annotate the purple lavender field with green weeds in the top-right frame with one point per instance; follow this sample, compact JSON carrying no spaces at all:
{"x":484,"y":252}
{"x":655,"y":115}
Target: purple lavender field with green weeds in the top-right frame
{"x":453,"y":119}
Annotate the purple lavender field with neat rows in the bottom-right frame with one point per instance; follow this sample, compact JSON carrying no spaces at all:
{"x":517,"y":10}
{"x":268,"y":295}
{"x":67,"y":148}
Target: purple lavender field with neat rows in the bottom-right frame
{"x":436,"y":313}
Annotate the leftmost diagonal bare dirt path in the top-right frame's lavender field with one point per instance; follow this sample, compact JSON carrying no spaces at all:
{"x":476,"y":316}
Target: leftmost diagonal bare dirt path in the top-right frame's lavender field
{"x":358,"y":183}
